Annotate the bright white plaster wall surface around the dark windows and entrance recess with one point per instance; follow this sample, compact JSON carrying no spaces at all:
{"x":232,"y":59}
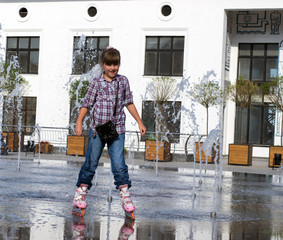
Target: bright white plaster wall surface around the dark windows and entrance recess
{"x":127,"y":23}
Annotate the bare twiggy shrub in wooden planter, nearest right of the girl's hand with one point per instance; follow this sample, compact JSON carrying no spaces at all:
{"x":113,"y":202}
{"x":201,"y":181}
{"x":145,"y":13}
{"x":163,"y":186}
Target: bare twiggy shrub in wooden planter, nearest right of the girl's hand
{"x":157,"y":147}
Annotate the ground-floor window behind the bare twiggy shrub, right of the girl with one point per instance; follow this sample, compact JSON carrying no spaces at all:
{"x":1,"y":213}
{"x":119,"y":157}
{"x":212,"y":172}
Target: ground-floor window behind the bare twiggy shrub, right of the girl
{"x":171,"y":114}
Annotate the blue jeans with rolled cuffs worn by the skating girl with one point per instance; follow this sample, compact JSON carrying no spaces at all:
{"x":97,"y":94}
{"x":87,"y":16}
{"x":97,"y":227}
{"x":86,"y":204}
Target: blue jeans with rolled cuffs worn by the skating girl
{"x":93,"y":154}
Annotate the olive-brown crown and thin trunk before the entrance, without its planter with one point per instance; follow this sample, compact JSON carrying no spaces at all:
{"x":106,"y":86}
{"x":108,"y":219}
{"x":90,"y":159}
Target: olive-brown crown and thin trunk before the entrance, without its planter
{"x":241,"y":93}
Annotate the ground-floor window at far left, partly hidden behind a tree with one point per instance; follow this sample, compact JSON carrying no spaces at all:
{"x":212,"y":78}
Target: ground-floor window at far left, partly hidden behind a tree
{"x":28,"y":113}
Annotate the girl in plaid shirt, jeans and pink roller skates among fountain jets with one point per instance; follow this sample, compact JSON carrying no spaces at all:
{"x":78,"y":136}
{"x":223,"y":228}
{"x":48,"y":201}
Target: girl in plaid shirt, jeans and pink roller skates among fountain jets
{"x":99,"y":101}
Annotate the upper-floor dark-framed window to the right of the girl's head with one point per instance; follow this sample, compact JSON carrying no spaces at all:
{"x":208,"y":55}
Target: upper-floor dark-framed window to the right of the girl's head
{"x":164,"y":56}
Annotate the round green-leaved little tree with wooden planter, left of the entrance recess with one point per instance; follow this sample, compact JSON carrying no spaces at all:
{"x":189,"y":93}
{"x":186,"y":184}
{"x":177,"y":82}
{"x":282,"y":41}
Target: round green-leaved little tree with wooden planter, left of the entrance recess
{"x":208,"y":94}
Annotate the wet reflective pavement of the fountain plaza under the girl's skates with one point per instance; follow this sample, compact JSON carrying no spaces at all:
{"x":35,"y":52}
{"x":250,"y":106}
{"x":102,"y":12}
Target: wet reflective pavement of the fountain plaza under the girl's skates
{"x":36,"y":202}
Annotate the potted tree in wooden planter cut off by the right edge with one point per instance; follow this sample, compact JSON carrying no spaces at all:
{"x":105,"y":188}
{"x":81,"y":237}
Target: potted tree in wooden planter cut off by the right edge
{"x":273,"y":92}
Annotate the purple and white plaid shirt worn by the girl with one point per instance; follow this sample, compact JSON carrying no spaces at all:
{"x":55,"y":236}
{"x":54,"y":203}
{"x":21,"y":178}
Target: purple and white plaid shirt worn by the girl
{"x":100,"y":100}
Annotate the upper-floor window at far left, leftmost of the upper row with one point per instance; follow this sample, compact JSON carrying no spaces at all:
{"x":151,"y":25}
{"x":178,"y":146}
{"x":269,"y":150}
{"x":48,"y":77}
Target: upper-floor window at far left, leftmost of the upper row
{"x":27,"y":51}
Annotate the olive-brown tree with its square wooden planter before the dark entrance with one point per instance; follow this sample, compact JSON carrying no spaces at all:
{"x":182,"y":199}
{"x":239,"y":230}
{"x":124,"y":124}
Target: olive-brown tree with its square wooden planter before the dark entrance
{"x":241,"y":93}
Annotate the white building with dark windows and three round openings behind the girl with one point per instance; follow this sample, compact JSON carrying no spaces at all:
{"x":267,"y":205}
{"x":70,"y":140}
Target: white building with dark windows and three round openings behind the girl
{"x":190,"y":38}
